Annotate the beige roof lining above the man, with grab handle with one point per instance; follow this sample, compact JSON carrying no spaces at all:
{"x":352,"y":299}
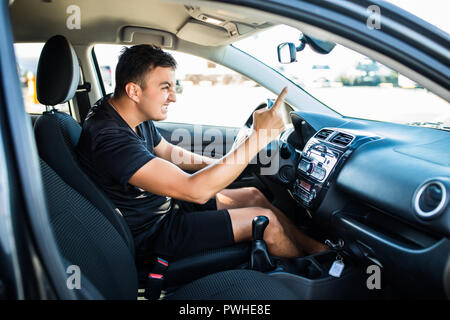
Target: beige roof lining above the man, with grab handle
{"x":105,"y":22}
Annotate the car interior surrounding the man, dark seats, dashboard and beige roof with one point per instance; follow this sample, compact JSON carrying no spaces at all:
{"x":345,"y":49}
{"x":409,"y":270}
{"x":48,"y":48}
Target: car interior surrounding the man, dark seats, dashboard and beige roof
{"x":377,"y":193}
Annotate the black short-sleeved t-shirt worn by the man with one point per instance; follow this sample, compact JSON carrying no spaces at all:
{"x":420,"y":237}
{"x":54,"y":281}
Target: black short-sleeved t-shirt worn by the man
{"x":111,"y":152}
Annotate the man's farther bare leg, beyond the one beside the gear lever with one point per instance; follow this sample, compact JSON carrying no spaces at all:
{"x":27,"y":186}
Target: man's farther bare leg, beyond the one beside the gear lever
{"x":252,"y":197}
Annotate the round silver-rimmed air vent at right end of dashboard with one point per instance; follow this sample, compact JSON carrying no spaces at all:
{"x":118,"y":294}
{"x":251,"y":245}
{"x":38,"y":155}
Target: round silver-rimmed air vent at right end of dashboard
{"x":430,"y":199}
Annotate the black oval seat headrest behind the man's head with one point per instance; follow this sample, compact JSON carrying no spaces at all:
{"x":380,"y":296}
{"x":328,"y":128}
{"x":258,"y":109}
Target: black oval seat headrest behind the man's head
{"x":58,"y":72}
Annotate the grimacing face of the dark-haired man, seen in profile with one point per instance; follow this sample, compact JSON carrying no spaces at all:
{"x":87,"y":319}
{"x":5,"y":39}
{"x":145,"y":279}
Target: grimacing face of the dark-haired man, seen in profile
{"x":158,"y":93}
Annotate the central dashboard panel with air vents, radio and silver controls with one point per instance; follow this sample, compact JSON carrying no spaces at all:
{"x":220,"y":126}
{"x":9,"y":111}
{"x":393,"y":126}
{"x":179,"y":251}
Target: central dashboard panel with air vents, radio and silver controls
{"x":320,"y":159}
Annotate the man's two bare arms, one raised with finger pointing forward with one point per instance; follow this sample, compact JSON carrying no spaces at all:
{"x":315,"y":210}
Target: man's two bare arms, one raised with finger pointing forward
{"x":162,"y":176}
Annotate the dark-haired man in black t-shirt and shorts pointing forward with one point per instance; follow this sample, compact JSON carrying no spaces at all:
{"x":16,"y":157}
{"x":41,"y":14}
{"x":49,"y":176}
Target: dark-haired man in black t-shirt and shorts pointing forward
{"x":170,"y":212}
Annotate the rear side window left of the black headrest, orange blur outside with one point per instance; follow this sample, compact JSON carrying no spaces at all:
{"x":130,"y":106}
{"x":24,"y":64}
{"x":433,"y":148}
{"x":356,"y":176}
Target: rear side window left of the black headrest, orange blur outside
{"x":27,"y":56}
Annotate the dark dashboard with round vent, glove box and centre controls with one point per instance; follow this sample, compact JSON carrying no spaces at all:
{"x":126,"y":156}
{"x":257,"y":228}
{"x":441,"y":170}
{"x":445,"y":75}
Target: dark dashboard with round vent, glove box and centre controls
{"x":384,"y":188}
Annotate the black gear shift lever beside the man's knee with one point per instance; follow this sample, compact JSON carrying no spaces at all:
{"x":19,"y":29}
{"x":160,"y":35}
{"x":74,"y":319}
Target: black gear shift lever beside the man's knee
{"x":259,"y":258}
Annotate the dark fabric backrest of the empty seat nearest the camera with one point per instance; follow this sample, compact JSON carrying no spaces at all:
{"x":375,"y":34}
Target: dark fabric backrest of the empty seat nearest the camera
{"x":87,"y":239}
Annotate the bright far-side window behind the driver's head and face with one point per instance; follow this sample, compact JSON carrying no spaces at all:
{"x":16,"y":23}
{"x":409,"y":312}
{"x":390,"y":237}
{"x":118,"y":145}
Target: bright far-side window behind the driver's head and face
{"x":207,"y":93}
